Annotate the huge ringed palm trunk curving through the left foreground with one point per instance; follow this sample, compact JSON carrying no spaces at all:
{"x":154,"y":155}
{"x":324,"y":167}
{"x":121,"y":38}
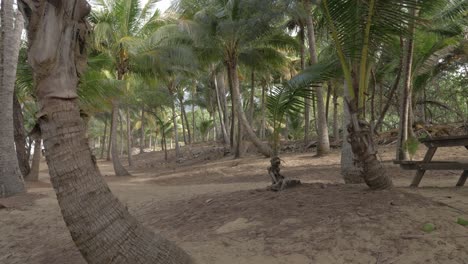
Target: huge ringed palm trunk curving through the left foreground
{"x":101,"y":227}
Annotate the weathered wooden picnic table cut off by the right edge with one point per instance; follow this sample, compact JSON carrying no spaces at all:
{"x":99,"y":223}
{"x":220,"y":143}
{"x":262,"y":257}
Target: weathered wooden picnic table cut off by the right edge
{"x":428,"y":164}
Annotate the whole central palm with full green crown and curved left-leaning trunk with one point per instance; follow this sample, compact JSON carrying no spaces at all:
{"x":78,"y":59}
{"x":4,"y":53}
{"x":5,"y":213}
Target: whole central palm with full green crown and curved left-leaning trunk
{"x":227,"y":34}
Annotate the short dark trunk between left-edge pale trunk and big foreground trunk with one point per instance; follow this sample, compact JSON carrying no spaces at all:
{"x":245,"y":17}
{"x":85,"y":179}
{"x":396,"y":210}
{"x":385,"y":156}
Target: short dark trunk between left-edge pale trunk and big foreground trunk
{"x":20,"y":137}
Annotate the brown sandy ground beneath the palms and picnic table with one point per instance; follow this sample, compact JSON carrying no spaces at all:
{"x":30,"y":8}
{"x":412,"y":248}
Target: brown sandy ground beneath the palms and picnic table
{"x":218,"y":210}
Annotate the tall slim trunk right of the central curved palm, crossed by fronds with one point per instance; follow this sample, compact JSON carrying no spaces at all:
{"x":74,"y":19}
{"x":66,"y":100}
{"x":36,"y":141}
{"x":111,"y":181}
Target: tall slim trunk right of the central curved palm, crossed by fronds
{"x":323,"y":142}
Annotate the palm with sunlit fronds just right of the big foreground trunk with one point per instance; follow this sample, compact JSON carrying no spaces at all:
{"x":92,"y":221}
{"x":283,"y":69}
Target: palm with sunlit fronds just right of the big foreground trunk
{"x":119,"y":25}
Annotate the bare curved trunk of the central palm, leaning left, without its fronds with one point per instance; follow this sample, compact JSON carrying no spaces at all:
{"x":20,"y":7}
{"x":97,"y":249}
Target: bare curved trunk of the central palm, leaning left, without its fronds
{"x":236,"y":97}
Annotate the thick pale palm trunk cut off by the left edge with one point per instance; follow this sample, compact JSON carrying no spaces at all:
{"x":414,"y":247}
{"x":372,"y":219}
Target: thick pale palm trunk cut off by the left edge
{"x":10,"y":175}
